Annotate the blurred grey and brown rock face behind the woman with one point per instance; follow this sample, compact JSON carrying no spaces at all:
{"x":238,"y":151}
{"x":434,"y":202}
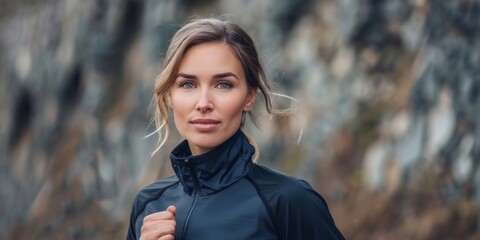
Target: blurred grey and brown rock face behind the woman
{"x":388,"y":110}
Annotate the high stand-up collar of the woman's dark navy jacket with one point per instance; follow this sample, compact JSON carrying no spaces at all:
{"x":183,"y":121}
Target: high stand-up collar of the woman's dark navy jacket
{"x":214,"y":170}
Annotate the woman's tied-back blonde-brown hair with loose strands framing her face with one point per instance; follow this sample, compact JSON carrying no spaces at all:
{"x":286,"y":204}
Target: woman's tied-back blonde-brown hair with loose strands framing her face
{"x":204,"y":31}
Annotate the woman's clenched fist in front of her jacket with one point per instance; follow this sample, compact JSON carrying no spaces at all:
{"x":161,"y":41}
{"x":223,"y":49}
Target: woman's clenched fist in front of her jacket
{"x":160,"y":225}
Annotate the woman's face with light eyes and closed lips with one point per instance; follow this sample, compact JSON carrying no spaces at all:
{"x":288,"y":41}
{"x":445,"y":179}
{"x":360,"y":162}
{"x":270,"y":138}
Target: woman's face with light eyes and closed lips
{"x":209,"y":95}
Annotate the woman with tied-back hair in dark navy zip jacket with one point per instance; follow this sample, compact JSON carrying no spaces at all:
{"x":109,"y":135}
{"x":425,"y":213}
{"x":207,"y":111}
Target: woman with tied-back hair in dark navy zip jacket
{"x":210,"y":81}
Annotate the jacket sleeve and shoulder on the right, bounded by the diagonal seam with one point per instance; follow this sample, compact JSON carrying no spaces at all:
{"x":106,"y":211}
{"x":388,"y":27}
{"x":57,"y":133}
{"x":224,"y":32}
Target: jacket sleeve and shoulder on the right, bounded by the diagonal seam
{"x":297,"y":210}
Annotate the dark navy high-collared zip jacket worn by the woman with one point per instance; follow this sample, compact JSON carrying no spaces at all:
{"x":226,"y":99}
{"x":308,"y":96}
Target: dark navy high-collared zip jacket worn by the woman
{"x":223,"y":195}
